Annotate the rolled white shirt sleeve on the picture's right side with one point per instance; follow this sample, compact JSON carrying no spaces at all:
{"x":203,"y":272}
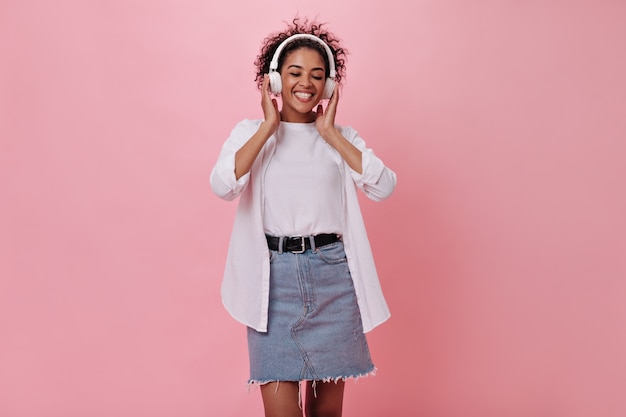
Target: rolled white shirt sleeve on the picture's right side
{"x":377,"y":181}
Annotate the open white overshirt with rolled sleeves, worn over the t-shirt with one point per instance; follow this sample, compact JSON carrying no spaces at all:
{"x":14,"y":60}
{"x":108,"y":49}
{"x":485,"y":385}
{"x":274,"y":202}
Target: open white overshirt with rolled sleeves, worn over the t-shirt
{"x":245,"y":285}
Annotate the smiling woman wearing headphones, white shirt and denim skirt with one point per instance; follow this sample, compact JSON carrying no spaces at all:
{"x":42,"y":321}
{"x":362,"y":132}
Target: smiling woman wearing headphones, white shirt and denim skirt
{"x":299,"y":272}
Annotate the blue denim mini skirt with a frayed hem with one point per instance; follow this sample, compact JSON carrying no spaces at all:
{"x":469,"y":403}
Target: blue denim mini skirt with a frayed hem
{"x":314,"y":330}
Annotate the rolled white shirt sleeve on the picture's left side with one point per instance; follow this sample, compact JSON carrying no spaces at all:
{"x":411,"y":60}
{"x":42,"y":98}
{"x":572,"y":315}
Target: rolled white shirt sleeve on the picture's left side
{"x":222,"y":179}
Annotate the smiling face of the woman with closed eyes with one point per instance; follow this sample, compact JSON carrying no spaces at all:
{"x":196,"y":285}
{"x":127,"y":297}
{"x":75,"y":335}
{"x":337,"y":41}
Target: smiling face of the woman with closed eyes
{"x":303,"y":76}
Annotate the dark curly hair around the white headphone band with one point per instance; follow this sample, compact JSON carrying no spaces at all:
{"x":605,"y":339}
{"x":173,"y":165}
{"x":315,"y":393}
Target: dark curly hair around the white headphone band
{"x":271,"y":43}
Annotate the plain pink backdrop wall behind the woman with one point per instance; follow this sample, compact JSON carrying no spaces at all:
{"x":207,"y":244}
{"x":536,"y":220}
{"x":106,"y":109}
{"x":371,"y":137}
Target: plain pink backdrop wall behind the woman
{"x":502,"y":252}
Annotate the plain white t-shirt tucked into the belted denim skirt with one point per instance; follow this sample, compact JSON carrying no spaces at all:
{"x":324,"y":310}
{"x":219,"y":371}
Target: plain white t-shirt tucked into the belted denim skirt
{"x":302,"y":184}
